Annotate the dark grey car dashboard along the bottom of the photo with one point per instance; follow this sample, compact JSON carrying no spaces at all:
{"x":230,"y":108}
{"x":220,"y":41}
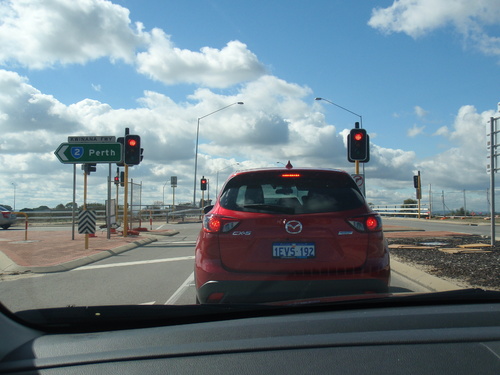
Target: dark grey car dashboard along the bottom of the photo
{"x":432,"y":339}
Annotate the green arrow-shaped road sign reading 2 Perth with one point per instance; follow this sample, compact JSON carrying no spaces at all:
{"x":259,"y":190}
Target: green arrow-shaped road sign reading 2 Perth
{"x":79,"y":153}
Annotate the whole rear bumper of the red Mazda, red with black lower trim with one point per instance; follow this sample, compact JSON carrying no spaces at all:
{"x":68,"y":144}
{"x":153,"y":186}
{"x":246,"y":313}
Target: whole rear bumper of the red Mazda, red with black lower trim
{"x":216,"y":284}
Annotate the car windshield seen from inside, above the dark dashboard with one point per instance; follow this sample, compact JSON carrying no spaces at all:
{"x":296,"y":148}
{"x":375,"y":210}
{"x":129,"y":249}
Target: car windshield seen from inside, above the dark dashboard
{"x":235,"y":152}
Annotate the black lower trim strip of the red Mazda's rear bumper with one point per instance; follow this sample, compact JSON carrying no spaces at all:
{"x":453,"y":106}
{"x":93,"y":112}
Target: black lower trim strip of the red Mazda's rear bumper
{"x":246,"y":291}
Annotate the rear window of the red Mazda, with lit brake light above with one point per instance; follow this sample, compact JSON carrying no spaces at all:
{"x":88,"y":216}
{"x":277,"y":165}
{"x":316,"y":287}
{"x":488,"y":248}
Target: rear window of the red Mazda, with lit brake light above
{"x":291,"y":193}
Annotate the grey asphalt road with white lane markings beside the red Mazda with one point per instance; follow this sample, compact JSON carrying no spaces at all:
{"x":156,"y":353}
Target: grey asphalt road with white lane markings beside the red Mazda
{"x":157,"y":273}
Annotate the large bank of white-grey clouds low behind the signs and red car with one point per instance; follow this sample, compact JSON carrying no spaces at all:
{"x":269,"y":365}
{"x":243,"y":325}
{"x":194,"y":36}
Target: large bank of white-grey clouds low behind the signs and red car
{"x":289,"y":127}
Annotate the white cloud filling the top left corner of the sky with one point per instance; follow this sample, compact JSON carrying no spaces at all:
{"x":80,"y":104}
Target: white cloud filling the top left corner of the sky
{"x":39,"y":34}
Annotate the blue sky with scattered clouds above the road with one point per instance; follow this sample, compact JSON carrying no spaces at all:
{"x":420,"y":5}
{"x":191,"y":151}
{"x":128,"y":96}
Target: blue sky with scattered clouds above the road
{"x":423,"y":77}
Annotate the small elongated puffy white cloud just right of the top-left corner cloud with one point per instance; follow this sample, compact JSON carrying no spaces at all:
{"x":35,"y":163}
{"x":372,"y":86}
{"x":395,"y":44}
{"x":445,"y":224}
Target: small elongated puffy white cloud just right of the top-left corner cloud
{"x":210,"y":67}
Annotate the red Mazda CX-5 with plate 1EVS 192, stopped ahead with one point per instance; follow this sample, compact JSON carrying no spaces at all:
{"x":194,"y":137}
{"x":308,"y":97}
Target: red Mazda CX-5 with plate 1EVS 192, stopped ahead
{"x":283,"y":233}
